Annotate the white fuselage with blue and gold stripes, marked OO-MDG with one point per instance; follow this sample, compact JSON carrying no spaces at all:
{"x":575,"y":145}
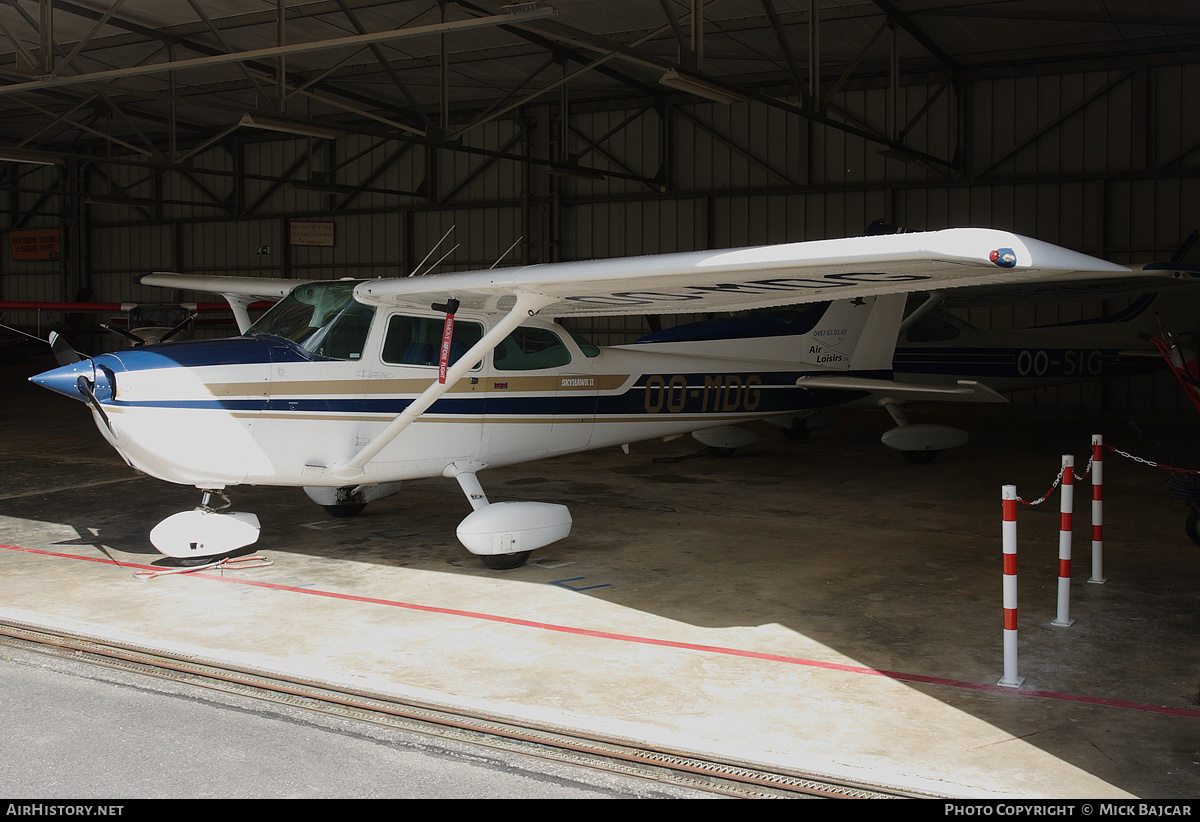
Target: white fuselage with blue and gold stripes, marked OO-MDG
{"x":253,"y":411}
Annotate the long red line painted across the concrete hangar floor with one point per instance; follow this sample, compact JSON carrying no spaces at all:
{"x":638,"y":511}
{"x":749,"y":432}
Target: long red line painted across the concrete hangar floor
{"x":650,"y":641}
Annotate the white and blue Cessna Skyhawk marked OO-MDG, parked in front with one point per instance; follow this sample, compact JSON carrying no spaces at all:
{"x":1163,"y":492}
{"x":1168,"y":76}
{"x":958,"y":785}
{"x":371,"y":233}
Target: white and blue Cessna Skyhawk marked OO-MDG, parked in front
{"x":349,"y":388}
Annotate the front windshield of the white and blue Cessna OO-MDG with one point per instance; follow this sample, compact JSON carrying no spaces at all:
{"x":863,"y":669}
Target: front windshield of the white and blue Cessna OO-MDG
{"x":321,"y":317}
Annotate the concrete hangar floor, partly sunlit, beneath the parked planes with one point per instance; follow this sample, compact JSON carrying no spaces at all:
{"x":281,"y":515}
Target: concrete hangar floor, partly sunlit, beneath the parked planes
{"x":811,"y":607}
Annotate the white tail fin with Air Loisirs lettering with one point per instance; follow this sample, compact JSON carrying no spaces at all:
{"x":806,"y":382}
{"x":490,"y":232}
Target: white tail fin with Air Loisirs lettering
{"x":843,"y":335}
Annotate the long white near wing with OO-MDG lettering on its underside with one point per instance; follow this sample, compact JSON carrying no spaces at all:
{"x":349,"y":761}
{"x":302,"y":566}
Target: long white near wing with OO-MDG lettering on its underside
{"x":758,"y":278}
